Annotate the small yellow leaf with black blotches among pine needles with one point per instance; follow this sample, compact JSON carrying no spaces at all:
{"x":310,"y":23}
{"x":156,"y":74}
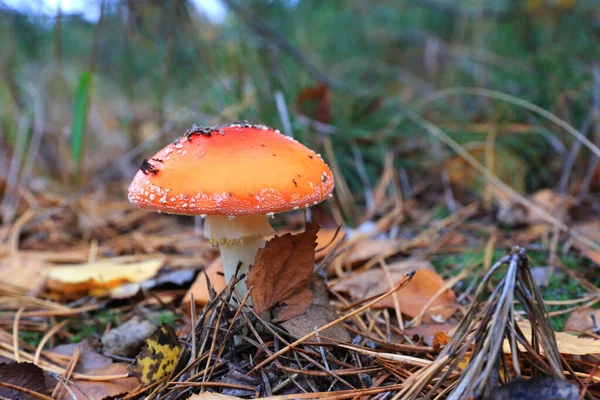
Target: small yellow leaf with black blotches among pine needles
{"x":159,"y":356}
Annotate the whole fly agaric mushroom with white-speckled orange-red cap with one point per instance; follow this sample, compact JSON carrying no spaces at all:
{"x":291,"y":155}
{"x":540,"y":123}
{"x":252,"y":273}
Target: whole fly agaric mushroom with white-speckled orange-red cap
{"x":237,"y":176}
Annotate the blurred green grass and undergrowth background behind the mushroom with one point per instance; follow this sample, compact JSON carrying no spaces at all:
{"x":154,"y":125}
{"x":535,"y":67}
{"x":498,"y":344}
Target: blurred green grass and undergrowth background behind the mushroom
{"x":83,"y":97}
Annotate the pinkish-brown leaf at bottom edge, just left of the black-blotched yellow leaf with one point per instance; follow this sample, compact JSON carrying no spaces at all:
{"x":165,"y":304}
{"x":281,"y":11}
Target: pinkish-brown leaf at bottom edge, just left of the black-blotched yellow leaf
{"x":84,"y":389}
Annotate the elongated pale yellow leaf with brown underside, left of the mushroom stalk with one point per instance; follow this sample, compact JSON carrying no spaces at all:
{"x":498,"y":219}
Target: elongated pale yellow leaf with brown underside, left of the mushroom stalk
{"x":98,"y":278}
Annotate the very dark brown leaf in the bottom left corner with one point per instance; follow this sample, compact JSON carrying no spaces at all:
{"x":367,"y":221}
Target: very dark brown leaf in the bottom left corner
{"x":24,"y":375}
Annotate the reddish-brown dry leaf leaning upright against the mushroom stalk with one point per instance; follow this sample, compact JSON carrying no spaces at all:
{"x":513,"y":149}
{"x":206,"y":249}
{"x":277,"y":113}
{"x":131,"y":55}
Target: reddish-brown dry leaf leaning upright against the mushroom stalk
{"x":282,"y":273}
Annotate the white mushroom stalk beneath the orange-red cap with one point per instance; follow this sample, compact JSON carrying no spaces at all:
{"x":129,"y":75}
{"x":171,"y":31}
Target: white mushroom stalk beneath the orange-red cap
{"x":239,"y":239}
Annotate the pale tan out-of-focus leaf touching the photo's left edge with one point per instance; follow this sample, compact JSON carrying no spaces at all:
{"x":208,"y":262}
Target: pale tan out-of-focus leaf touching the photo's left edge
{"x":23,"y":273}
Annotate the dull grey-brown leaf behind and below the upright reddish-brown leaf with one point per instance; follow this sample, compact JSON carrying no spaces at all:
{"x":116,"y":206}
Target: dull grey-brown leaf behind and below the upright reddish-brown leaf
{"x":317,"y":315}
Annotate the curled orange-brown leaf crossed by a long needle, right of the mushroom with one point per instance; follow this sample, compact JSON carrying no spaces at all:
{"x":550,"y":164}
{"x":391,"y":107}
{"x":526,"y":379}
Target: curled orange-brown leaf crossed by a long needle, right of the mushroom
{"x":411,"y":298}
